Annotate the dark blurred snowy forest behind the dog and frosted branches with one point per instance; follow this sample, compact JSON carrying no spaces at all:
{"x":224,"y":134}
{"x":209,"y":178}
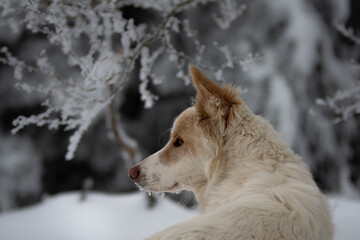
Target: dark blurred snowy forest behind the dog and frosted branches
{"x":305,"y":81}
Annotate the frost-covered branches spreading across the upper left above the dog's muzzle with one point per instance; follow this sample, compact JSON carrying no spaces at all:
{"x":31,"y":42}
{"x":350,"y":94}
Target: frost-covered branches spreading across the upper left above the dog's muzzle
{"x":98,"y":73}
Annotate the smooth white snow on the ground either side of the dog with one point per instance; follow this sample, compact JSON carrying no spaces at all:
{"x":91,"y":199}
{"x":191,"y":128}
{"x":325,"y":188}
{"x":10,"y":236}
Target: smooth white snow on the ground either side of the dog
{"x":110,"y":217}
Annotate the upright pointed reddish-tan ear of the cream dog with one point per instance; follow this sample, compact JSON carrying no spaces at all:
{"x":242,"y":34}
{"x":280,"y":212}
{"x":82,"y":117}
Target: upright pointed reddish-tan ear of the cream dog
{"x":214,"y":103}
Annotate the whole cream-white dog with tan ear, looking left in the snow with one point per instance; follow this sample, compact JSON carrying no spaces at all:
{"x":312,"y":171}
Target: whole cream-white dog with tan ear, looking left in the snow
{"x":248,"y":182}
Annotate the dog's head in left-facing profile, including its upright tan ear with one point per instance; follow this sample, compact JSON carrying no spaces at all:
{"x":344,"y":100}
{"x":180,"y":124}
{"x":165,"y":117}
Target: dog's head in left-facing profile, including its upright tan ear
{"x":189,"y":158}
